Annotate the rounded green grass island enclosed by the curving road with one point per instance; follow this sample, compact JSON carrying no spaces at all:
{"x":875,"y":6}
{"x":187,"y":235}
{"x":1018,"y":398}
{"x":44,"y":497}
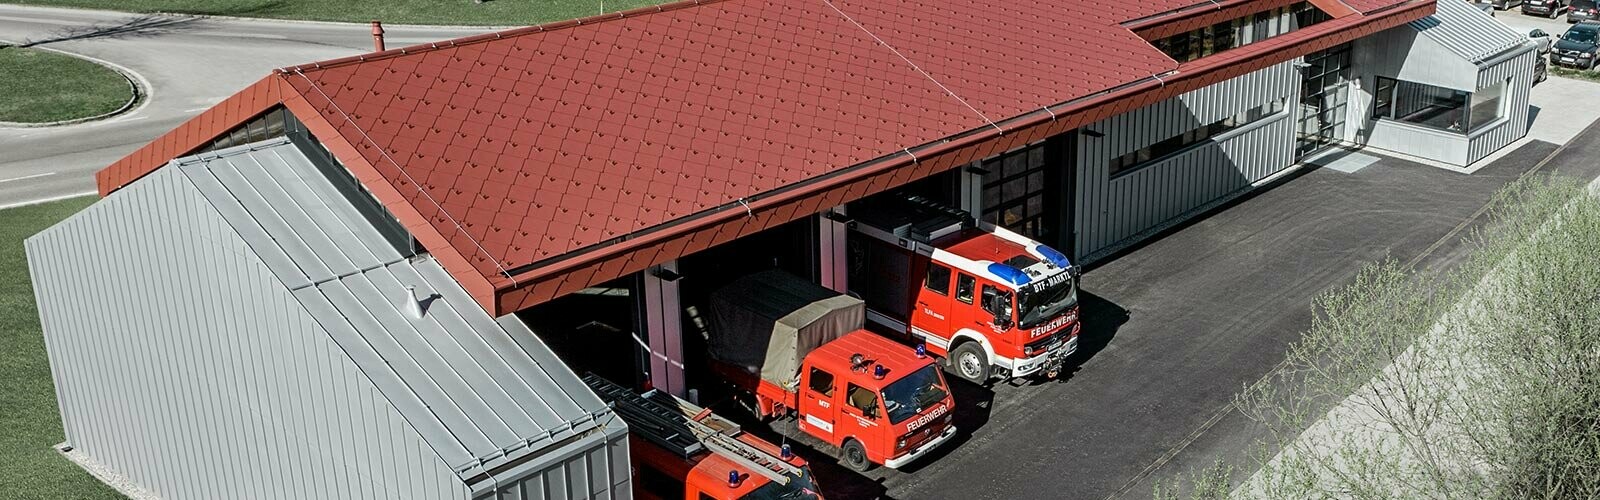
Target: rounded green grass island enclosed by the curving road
{"x":39,"y":87}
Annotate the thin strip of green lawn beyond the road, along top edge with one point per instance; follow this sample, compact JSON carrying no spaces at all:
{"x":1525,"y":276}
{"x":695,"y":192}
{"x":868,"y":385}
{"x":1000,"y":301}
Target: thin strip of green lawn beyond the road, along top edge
{"x":406,"y":12}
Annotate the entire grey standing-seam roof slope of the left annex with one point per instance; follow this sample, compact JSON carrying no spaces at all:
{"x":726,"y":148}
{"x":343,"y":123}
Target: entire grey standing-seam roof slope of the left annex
{"x":481,"y":392}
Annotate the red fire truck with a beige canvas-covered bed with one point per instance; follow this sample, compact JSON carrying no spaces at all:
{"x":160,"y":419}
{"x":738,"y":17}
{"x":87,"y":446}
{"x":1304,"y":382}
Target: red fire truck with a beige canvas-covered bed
{"x":799,"y":350}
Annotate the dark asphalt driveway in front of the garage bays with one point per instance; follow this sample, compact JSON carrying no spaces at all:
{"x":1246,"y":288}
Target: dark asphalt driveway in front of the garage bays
{"x":1178,"y":326}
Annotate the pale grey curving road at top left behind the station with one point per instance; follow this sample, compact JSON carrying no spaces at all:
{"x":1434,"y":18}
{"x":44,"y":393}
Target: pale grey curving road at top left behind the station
{"x":186,"y":63}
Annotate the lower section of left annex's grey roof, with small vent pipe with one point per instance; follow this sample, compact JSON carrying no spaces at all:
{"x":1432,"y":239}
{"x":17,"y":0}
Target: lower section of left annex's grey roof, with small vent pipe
{"x":482,"y":393}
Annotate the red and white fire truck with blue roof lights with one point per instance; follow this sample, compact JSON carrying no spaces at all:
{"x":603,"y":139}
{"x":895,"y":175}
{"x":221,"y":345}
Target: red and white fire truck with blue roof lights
{"x":990,"y":300}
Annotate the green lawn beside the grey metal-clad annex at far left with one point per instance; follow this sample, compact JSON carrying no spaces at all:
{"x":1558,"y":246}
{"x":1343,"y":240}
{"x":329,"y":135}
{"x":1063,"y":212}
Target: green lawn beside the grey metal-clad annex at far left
{"x":30,"y":421}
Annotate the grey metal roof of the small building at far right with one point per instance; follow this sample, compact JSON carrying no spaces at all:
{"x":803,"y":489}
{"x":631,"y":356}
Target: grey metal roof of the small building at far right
{"x":1466,"y":31}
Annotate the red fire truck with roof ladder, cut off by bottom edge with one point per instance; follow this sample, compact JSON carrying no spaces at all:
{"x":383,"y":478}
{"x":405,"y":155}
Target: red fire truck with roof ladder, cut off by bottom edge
{"x":682,"y":451}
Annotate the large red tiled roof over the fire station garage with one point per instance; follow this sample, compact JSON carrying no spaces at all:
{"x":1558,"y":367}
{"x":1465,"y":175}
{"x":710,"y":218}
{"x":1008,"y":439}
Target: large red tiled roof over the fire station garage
{"x":540,"y":161}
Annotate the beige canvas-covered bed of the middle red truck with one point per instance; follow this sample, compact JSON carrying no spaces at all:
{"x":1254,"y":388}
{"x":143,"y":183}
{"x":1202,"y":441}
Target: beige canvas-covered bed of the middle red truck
{"x":767,"y":323}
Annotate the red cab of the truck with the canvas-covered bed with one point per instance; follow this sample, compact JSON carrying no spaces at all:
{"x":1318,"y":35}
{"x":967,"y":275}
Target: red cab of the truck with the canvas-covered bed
{"x":874,"y":400}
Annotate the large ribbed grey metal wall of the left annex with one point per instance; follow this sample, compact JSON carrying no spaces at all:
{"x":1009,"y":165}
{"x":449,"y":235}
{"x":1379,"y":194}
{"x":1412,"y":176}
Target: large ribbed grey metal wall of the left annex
{"x":185,"y":365}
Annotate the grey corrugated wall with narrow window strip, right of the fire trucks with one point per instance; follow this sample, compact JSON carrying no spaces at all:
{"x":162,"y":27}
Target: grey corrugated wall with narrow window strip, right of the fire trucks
{"x":1116,"y":209}
